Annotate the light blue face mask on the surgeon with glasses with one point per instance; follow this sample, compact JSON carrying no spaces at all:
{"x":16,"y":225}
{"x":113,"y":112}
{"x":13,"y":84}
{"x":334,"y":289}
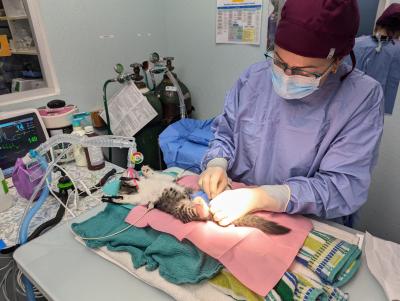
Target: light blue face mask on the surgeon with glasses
{"x":293,"y":86}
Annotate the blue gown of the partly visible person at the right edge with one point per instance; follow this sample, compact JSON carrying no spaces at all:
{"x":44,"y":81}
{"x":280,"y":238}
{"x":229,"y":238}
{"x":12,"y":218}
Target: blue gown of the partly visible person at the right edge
{"x":384,"y":66}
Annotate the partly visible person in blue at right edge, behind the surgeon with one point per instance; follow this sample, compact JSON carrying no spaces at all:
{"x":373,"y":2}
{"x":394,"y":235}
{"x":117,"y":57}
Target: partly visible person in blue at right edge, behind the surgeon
{"x":379,"y":55}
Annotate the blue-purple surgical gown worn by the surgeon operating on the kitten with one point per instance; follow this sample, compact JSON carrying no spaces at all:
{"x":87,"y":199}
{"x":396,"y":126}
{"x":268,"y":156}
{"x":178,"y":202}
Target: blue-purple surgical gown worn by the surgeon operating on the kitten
{"x":323,"y":146}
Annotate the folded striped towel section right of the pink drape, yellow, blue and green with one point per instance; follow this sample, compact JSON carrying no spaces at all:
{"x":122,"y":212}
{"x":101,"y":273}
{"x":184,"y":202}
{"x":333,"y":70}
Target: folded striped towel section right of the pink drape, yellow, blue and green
{"x":334,"y":261}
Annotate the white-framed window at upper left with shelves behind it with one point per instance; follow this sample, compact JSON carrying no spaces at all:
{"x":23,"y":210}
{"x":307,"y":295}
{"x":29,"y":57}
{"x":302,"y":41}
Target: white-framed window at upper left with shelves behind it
{"x":26,"y":70}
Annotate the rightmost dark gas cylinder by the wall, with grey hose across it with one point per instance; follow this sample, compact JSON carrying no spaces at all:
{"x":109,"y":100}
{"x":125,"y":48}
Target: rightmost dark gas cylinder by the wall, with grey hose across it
{"x":168,"y":95}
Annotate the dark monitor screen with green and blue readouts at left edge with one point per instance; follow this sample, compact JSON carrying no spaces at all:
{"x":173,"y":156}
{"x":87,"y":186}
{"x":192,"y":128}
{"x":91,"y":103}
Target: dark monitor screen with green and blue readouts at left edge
{"x":18,"y":135}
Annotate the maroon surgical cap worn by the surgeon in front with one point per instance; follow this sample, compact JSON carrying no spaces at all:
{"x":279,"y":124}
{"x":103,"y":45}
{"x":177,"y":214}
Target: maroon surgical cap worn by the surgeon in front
{"x":318,"y":28}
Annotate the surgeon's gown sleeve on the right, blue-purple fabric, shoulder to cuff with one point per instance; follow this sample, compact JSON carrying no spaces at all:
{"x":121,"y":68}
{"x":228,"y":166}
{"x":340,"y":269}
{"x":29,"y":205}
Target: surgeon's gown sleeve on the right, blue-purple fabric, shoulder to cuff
{"x":340,"y":187}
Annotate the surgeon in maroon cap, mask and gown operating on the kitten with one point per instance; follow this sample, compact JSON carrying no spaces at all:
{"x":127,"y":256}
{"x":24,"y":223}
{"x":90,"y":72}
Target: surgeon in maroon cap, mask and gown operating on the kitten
{"x":302,"y":128}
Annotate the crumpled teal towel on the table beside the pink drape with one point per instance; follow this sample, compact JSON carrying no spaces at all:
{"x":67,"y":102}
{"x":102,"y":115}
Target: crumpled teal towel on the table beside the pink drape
{"x":178,"y":262}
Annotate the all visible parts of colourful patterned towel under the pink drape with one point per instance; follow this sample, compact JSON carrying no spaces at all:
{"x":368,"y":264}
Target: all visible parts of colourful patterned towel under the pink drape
{"x":324,"y":263}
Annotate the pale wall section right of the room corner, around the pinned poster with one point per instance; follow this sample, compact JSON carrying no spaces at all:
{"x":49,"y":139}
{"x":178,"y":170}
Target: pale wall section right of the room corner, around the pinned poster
{"x":209,"y":70}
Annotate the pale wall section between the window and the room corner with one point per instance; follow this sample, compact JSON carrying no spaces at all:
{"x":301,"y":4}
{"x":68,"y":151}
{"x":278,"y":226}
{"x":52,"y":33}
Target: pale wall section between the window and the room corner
{"x":82,"y":60}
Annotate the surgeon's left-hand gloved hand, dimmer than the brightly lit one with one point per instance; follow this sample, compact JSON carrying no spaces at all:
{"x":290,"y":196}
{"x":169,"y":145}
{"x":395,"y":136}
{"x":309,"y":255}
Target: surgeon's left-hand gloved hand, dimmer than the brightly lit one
{"x":213,"y":181}
